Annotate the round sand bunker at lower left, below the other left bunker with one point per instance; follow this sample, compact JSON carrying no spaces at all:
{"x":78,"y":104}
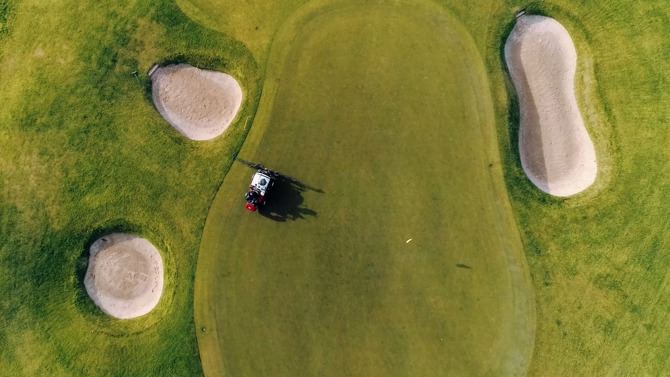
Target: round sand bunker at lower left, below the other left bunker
{"x":125,"y":275}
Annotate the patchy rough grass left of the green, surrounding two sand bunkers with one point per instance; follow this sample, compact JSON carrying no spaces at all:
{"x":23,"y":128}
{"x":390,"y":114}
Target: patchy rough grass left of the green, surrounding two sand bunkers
{"x":85,"y":153}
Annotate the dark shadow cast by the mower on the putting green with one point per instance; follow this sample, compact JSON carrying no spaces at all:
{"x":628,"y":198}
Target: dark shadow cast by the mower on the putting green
{"x":285,"y":203}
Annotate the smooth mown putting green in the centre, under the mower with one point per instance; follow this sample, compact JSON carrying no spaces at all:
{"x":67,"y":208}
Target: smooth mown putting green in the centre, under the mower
{"x":386,"y":109}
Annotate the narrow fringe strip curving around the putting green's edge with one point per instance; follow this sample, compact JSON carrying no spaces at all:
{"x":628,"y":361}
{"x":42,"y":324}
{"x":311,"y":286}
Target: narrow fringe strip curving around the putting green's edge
{"x":212,"y":359}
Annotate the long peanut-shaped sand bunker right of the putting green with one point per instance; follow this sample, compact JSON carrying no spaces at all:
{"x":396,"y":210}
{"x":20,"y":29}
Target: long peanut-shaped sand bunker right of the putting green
{"x":556,"y":151}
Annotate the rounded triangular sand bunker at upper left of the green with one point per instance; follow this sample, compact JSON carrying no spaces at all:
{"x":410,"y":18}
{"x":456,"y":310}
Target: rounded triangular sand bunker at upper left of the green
{"x":198,"y":103}
